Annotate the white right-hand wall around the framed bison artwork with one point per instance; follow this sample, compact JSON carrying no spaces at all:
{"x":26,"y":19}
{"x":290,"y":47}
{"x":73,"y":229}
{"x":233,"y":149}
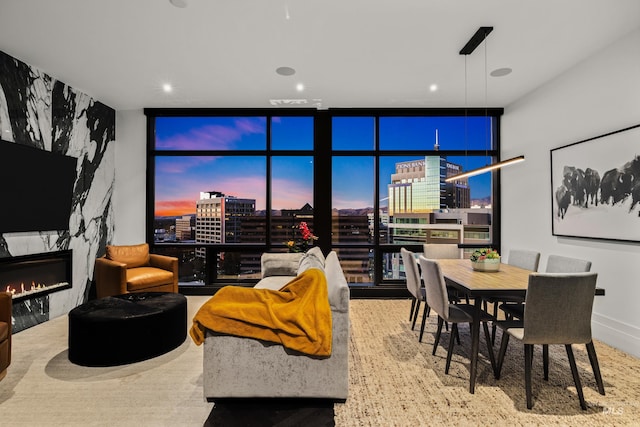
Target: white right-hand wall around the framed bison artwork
{"x":597,"y":96}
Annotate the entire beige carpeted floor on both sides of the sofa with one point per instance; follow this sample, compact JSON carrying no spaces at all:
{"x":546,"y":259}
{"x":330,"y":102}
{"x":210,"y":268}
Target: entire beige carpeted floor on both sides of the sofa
{"x":394,"y":381}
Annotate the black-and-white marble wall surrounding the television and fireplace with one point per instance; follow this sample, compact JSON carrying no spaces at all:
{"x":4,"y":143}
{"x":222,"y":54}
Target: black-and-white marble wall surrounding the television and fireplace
{"x":42,"y":112}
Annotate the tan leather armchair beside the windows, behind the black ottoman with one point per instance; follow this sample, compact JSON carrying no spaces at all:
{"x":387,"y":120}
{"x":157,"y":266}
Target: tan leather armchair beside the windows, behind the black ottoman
{"x":128,"y":269}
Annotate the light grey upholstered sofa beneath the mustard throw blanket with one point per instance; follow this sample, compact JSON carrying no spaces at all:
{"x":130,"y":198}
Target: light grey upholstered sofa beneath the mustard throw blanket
{"x":236,"y":367}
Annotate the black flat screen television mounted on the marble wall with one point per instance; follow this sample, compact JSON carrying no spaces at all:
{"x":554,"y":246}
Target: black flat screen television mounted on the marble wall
{"x":36,"y":189}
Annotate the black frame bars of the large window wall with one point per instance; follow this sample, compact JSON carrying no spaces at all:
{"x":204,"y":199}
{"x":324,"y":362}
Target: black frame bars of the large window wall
{"x":323,"y":154}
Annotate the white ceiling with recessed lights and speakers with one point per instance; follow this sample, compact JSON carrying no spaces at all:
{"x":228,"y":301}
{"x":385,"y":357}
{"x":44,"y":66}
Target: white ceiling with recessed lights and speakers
{"x":347,"y":53}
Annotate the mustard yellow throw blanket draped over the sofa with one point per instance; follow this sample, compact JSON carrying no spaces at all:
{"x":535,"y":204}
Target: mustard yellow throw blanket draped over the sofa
{"x":298,"y":316}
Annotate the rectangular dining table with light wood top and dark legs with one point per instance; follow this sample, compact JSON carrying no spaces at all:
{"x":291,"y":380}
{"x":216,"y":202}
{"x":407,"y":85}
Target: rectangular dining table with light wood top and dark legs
{"x":508,"y":281}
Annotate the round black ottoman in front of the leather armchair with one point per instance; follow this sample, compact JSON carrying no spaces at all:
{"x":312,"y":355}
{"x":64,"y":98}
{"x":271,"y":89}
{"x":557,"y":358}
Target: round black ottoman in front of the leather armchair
{"x":126,"y":328}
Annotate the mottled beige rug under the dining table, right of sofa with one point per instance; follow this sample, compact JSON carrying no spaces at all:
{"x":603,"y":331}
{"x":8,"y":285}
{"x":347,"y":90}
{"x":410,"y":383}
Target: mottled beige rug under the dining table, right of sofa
{"x":395,"y":381}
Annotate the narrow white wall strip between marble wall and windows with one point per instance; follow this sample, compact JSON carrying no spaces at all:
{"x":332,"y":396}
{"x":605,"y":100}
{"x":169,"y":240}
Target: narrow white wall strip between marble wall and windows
{"x":129,"y":197}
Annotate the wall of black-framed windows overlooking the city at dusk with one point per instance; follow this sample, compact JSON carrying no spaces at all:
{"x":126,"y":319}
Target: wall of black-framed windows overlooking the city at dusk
{"x":225,"y":186}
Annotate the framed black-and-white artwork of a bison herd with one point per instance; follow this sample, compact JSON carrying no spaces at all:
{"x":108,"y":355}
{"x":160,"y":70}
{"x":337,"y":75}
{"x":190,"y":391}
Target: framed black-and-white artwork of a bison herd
{"x":595,"y":187}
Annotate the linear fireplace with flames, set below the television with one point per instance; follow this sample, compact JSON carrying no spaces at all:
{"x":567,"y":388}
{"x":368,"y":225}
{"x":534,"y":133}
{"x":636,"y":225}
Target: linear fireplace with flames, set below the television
{"x":36,"y":275}
